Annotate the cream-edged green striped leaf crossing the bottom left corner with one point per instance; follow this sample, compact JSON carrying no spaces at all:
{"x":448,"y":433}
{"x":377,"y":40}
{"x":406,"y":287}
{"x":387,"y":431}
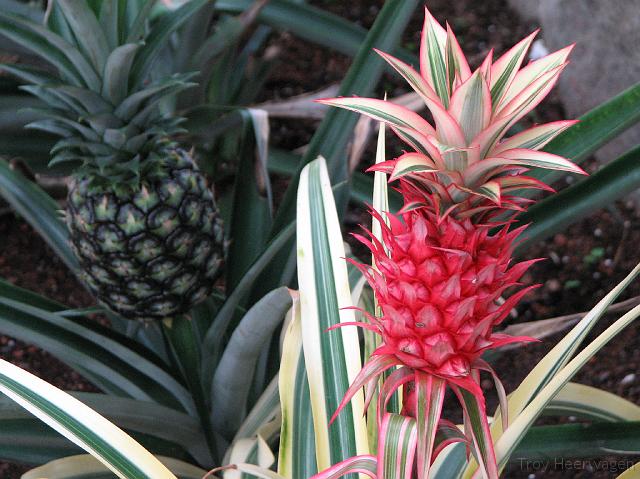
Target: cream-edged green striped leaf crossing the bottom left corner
{"x":109,"y":444}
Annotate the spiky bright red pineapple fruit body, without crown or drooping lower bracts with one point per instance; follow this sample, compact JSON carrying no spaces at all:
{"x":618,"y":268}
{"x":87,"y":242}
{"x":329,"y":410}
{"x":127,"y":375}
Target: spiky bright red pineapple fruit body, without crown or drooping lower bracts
{"x":439,"y":289}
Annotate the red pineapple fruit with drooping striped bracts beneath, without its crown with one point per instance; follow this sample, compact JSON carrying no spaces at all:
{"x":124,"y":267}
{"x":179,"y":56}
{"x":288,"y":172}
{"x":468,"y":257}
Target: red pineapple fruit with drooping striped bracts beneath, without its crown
{"x":439,"y":281}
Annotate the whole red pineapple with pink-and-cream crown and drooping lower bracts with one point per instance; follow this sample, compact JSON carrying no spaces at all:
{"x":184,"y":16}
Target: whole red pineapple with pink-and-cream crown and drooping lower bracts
{"x":443,"y":264}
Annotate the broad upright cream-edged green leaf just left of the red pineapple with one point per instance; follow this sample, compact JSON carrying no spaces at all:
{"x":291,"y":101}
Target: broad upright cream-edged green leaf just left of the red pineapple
{"x":332,"y":358}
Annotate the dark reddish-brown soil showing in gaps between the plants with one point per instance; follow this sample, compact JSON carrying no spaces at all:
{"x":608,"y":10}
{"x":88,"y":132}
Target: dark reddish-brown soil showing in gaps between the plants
{"x":586,"y":260}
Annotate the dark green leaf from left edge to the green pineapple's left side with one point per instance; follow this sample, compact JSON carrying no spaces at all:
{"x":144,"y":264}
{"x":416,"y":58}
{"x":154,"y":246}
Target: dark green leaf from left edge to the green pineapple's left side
{"x":39,"y":209}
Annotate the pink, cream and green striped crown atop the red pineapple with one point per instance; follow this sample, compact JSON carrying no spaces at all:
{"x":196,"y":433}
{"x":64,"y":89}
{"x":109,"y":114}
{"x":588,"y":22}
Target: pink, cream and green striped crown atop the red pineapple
{"x":461,"y":165}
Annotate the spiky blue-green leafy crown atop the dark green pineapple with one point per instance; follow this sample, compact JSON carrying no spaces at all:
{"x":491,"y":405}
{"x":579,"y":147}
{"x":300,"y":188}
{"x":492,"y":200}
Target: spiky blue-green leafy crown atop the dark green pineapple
{"x":100,"y":96}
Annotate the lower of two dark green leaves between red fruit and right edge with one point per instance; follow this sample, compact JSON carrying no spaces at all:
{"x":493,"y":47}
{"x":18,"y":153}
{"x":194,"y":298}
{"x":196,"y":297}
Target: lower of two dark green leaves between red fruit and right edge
{"x":611,"y":182}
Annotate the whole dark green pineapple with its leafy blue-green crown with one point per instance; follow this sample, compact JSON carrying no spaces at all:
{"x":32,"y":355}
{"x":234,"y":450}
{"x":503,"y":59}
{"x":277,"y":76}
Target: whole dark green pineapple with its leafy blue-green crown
{"x":142,"y":220}
